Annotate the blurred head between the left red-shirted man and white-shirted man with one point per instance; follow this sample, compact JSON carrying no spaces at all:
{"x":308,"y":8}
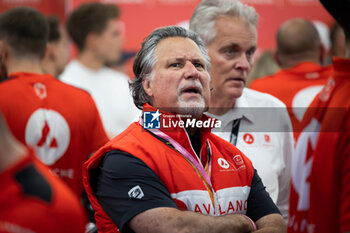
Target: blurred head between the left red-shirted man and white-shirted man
{"x":57,"y":52}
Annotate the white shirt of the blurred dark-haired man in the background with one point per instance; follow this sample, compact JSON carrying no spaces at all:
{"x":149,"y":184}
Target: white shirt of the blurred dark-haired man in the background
{"x":110,"y":91}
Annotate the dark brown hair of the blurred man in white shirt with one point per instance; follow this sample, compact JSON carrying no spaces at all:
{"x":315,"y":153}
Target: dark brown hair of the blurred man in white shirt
{"x":89,"y":18}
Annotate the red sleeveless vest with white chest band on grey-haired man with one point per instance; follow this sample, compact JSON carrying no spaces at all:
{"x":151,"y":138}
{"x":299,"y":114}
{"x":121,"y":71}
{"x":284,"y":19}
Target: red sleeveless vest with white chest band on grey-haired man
{"x":229,"y":172}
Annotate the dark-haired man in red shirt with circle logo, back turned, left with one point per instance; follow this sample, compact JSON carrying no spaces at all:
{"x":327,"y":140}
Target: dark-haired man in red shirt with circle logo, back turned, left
{"x":59,"y":121}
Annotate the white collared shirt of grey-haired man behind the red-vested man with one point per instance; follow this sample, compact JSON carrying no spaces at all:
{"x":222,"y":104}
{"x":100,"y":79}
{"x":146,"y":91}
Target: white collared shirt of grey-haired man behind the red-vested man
{"x":265,"y":136}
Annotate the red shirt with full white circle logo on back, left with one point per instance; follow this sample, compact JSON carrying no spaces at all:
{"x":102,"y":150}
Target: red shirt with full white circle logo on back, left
{"x":59,"y":121}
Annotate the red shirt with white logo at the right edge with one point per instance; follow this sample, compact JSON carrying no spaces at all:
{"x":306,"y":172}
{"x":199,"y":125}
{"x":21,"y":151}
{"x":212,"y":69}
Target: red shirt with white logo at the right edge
{"x":320,"y":187}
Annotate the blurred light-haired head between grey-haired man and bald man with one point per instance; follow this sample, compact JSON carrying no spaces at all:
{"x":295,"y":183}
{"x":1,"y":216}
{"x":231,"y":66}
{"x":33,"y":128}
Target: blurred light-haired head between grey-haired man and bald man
{"x":263,"y":66}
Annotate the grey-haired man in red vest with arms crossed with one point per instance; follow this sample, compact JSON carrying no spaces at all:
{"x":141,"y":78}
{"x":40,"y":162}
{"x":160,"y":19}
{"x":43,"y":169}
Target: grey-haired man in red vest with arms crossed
{"x":168,"y":172}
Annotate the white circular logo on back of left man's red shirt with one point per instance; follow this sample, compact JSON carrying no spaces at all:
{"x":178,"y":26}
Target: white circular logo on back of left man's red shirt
{"x":48,"y":133}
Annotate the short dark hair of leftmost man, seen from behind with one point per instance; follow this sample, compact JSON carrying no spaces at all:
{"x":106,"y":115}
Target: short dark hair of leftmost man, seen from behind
{"x":25,"y":30}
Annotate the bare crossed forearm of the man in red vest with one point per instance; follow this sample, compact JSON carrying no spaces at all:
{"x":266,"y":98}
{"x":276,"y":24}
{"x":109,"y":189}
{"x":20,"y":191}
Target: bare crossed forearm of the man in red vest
{"x":172,"y":220}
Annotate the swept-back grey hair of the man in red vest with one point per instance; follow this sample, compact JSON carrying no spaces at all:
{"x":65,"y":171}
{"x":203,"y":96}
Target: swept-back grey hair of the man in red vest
{"x":146,"y":58}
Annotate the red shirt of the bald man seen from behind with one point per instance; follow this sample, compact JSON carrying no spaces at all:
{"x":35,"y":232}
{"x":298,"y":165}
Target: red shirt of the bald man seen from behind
{"x":295,"y":87}
